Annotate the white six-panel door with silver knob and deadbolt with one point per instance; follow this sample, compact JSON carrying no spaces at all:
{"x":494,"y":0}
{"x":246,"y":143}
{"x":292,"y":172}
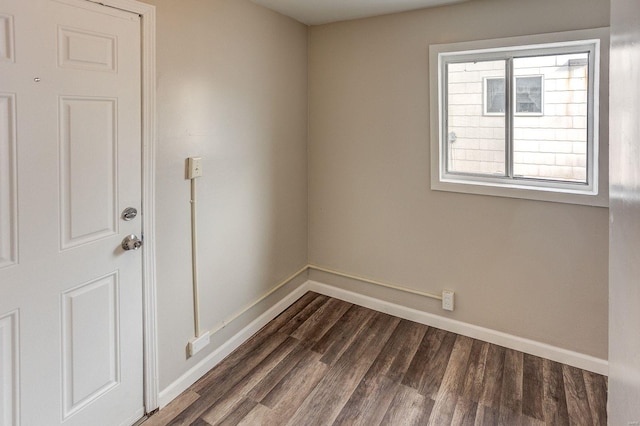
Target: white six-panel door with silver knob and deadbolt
{"x":70,"y":163}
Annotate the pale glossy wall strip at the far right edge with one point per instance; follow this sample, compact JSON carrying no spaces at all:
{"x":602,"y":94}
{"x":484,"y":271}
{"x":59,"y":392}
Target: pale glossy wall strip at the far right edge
{"x":624,"y":291}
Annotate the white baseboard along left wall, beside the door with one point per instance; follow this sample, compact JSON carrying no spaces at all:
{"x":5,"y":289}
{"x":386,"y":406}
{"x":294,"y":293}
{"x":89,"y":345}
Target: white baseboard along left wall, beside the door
{"x":196,"y":372}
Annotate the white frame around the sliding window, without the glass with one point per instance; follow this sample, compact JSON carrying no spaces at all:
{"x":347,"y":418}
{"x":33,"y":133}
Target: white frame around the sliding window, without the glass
{"x":595,"y":191}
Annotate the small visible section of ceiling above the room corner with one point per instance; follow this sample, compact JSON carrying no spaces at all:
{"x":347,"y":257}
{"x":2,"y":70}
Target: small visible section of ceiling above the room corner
{"x":314,"y":12}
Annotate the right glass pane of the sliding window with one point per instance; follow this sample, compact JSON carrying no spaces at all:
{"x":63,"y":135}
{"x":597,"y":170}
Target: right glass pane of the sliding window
{"x":550,"y":125}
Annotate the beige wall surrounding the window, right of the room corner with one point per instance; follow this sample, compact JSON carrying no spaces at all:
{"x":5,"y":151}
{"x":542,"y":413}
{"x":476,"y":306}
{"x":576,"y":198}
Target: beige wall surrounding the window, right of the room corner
{"x":534,"y":269}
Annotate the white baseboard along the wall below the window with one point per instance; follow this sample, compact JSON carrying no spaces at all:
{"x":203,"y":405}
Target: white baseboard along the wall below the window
{"x":528,"y":346}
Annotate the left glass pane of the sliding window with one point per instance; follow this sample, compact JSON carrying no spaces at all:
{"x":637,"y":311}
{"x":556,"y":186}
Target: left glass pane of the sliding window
{"x":476,"y":139}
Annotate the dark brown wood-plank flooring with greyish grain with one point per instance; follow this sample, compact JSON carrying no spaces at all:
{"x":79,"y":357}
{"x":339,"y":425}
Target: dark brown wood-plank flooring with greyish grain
{"x":324,"y":361}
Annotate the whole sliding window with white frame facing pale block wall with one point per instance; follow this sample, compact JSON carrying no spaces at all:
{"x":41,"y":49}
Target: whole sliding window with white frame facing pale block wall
{"x":518,"y":118}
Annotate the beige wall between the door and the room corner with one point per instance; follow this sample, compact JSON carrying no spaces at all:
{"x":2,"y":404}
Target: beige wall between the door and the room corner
{"x":232,"y":88}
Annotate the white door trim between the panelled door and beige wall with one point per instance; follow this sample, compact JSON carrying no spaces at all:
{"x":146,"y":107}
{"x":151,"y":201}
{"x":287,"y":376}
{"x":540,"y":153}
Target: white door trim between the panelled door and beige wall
{"x":148,"y":96}
